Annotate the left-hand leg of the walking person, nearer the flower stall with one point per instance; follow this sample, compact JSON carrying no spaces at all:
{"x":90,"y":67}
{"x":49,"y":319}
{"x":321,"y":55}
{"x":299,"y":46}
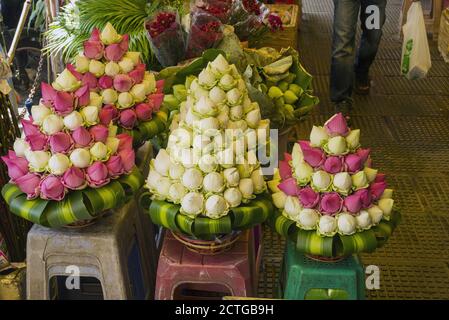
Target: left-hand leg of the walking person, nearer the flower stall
{"x":343,"y":46}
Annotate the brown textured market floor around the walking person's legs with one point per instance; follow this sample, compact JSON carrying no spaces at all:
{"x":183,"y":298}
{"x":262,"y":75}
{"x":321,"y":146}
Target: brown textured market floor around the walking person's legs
{"x":405,"y":123}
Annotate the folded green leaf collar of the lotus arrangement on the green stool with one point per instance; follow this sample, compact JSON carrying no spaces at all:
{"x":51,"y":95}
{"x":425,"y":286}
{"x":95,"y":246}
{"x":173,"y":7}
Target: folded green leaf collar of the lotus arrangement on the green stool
{"x":311,"y":243}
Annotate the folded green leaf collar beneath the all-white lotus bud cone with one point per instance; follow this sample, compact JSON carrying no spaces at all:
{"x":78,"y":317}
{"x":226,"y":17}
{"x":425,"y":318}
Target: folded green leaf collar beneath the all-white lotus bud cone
{"x":241,"y":218}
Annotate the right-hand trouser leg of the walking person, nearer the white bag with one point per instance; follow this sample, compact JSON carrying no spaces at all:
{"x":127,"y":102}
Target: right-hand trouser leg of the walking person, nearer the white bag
{"x":370,"y":40}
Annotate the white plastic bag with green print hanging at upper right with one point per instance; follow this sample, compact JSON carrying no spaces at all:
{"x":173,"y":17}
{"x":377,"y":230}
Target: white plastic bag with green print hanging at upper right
{"x":415,"y":62}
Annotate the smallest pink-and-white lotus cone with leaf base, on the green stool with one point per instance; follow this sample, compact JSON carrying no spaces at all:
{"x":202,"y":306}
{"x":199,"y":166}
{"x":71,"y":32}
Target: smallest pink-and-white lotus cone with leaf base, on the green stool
{"x":329,"y":190}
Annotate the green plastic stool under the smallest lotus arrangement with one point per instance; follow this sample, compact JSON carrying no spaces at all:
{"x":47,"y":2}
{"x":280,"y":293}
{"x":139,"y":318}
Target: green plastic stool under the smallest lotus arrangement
{"x":305,"y":279}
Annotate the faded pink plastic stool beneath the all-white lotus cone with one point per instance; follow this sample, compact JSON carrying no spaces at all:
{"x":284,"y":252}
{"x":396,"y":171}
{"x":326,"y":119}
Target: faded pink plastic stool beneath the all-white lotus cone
{"x":183,"y":274}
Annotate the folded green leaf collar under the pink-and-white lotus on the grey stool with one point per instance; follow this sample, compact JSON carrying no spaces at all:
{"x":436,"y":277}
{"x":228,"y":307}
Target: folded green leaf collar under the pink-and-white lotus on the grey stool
{"x":76,"y":206}
